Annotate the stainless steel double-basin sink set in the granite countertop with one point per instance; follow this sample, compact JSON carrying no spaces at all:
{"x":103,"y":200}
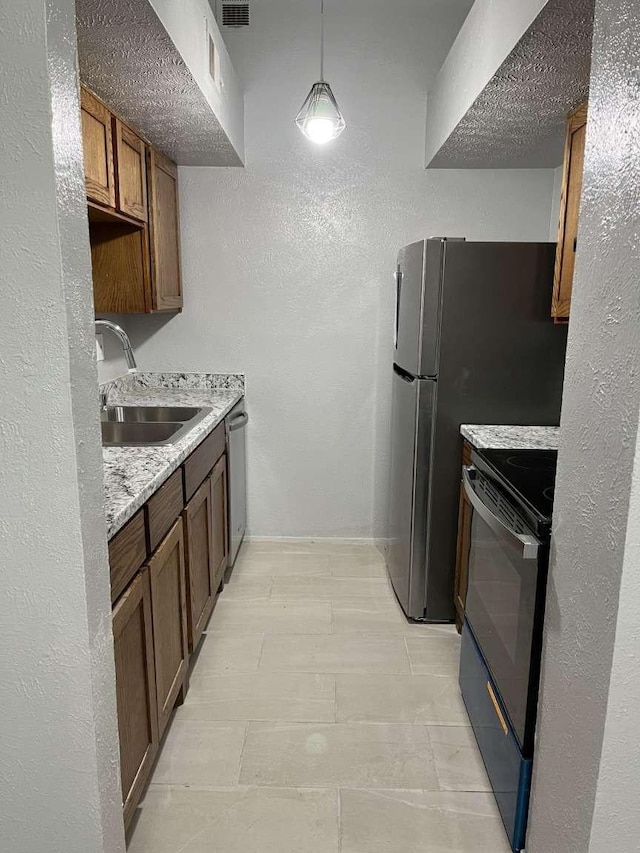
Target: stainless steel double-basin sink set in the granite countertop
{"x":124,"y":426}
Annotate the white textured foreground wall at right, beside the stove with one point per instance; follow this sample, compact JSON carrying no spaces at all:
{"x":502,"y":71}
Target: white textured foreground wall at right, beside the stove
{"x":591,"y":651}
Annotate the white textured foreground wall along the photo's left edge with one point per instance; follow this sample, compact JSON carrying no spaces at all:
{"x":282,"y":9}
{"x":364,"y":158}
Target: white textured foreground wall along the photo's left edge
{"x":59,"y":784}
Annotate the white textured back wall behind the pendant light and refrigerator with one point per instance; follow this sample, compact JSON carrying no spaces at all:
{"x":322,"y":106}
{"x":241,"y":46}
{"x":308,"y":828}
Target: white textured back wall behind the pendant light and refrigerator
{"x":288,"y":263}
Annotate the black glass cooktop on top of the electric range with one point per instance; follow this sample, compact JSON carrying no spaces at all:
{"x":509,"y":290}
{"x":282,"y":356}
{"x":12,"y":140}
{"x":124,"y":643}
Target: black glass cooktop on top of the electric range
{"x":529,"y":475}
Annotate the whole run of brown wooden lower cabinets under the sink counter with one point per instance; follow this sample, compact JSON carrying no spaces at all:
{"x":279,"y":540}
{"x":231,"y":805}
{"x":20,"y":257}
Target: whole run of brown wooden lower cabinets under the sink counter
{"x":167,"y":600}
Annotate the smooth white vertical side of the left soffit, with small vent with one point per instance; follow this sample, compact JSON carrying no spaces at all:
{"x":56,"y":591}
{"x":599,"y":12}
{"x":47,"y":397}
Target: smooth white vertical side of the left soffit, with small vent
{"x":189,"y":25}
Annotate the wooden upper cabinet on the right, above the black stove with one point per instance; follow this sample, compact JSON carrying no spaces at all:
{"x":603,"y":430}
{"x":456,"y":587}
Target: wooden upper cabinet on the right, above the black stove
{"x":569,"y":213}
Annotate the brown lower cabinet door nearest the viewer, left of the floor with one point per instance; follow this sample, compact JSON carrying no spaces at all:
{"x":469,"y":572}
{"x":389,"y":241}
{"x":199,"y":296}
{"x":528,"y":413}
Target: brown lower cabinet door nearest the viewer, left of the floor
{"x":135,"y":690}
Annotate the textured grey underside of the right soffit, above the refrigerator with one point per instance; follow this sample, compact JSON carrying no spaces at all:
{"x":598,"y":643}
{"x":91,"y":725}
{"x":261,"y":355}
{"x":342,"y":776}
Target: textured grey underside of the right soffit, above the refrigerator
{"x":518,"y":120}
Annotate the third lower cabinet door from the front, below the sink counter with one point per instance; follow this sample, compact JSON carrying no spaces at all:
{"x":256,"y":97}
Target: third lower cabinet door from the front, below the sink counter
{"x":201,"y":591}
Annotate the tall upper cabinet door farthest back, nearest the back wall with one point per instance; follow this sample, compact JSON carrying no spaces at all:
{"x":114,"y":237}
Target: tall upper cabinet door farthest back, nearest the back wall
{"x":165,"y":233}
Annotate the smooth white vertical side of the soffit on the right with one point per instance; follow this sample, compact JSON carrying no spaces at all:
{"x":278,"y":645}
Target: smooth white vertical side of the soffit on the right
{"x":487,"y":37}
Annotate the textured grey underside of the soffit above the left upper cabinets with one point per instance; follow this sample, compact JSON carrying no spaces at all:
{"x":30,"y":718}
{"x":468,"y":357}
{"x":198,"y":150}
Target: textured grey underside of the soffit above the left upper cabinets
{"x":128,"y":59}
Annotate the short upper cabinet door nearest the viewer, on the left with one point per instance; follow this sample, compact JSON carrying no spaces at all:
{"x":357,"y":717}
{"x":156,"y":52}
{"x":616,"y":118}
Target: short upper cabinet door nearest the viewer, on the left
{"x":98,"y":150}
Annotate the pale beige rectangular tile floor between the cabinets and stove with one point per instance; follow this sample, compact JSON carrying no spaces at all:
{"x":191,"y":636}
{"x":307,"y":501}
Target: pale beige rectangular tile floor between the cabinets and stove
{"x":319,"y":720}
